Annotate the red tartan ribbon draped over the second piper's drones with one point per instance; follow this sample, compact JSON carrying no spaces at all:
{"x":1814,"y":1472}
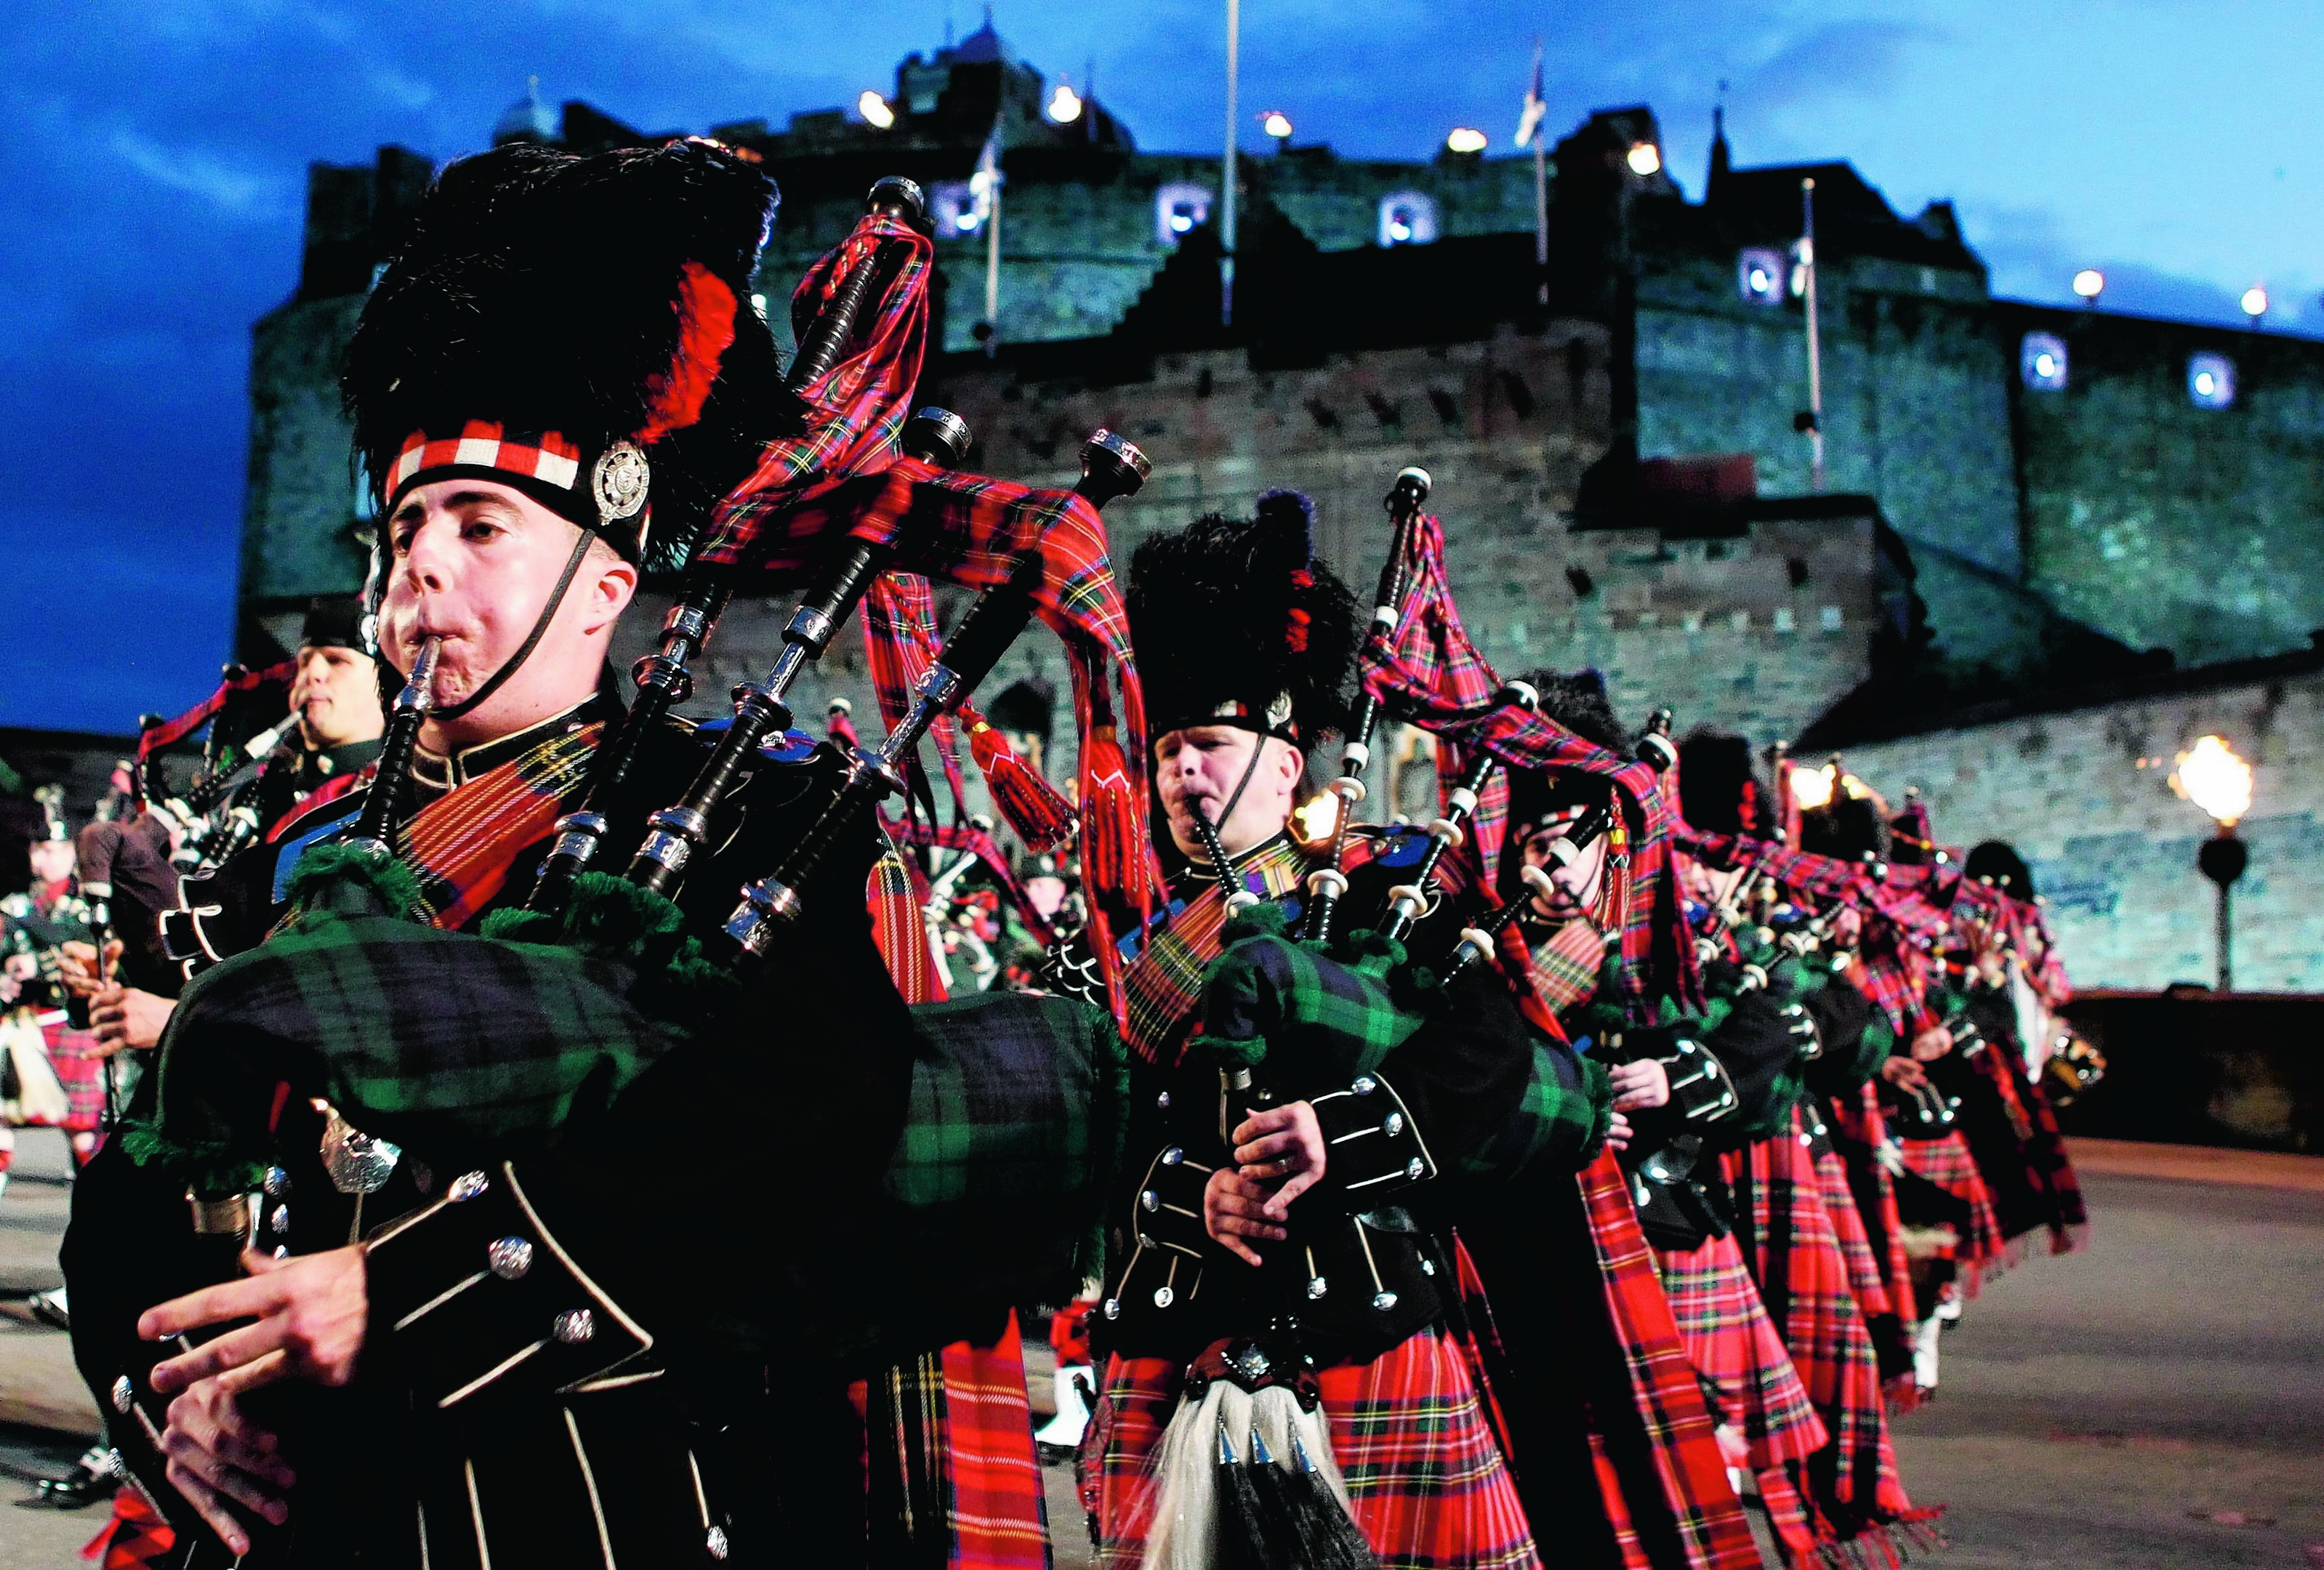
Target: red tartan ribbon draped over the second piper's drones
{"x":1433,"y":675}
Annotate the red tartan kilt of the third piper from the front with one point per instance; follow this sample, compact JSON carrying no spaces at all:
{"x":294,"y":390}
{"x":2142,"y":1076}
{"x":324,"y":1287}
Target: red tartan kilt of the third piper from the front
{"x":1735,"y":1346}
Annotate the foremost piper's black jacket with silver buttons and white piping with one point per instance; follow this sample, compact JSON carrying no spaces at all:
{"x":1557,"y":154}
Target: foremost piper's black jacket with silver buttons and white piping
{"x":603,"y":1355}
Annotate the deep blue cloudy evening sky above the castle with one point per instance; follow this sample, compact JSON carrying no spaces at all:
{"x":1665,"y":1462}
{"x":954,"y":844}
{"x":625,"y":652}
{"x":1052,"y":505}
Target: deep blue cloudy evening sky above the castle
{"x":152,"y":182}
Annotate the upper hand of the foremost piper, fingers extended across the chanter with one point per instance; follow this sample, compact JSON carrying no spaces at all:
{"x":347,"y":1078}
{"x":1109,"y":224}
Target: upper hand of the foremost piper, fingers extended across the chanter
{"x":310,"y":1323}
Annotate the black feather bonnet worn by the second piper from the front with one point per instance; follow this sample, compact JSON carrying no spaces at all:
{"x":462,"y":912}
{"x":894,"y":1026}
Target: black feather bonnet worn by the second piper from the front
{"x":1240,"y":624}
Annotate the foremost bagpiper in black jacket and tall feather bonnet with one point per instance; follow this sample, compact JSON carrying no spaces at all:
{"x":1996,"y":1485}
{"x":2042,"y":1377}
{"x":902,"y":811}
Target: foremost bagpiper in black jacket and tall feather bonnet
{"x":589,"y":1325}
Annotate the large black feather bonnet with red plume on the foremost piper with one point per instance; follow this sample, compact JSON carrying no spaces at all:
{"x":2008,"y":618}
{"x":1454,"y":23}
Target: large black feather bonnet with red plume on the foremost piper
{"x":582,"y":331}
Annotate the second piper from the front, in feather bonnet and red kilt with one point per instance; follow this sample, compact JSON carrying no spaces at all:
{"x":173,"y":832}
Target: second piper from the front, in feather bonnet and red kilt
{"x":1282,"y":1325}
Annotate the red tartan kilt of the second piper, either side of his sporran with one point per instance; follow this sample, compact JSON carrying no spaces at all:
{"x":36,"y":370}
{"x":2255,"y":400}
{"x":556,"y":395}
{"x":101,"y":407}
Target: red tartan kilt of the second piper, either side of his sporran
{"x":1426,"y":1481}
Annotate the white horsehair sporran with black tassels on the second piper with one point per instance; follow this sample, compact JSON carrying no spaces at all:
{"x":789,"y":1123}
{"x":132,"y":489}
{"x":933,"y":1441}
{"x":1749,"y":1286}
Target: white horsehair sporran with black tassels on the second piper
{"x":1247,"y":1483}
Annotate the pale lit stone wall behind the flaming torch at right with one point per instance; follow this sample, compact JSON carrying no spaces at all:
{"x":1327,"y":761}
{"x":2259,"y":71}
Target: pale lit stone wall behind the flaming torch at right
{"x":2086,"y":800}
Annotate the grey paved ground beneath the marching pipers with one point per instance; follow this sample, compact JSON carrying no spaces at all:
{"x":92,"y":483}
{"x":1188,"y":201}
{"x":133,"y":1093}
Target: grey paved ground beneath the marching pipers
{"x":2151,"y":1404}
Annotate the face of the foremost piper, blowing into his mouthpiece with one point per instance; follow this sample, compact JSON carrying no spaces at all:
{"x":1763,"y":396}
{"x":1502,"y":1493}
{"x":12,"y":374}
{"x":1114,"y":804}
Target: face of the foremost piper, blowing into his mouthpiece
{"x":475,"y":563}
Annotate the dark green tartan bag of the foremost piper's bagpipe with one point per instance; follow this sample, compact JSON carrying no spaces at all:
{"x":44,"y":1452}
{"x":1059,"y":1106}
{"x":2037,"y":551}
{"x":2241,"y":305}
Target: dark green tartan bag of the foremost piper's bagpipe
{"x":468,"y":1051}
